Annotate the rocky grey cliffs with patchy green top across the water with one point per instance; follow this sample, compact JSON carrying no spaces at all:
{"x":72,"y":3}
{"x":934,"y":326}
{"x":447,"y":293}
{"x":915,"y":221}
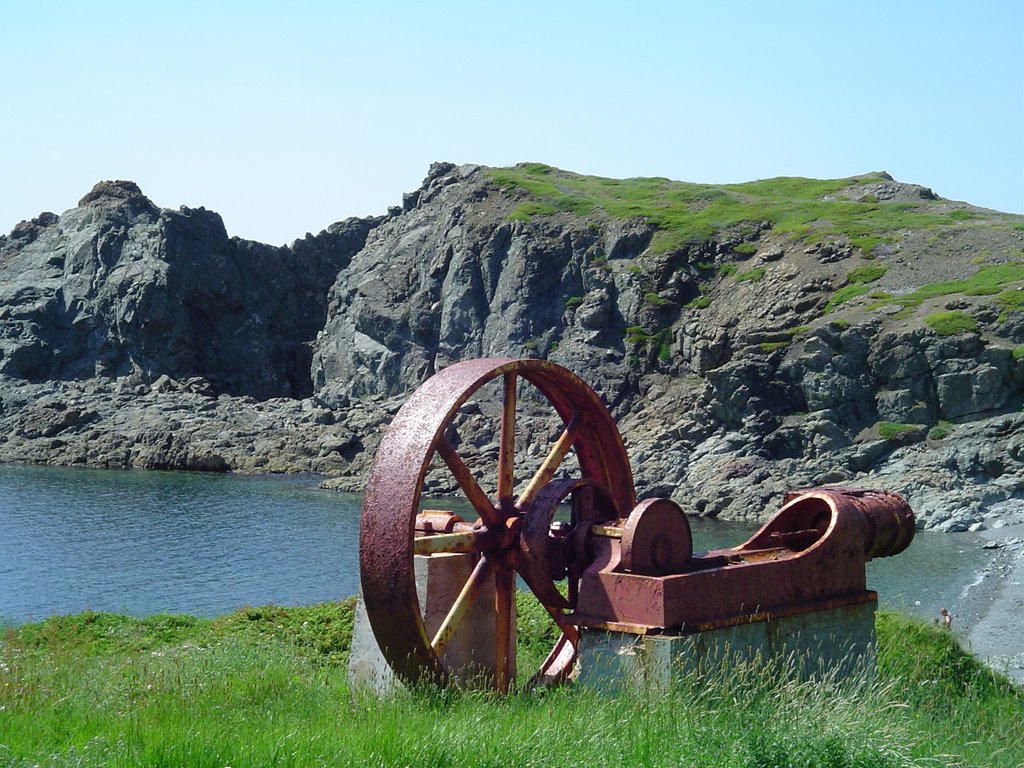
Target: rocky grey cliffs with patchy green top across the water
{"x":750,"y":338}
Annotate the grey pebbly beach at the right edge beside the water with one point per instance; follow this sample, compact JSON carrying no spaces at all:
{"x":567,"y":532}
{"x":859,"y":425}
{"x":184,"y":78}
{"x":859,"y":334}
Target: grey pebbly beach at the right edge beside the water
{"x":991,"y":621}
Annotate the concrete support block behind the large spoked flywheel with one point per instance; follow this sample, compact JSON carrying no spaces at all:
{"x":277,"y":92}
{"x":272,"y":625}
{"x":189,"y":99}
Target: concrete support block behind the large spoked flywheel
{"x":470,"y":656}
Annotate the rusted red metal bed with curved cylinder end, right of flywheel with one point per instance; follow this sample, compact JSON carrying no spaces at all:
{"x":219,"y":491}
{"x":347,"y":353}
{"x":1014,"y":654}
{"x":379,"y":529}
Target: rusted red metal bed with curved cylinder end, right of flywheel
{"x":814,"y":550}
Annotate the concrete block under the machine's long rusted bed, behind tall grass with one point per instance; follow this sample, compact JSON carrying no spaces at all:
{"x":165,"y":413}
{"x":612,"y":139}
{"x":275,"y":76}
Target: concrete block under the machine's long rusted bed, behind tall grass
{"x":837,"y":643}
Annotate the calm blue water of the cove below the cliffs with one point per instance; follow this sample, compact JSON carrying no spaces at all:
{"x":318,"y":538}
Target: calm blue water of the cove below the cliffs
{"x":143,"y":543}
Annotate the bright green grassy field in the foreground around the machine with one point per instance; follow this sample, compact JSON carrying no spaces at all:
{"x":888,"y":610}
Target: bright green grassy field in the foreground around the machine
{"x":267,"y":688}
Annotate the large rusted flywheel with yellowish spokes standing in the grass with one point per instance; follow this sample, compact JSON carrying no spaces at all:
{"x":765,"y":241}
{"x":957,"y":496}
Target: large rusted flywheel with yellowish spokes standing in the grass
{"x":513,"y":533}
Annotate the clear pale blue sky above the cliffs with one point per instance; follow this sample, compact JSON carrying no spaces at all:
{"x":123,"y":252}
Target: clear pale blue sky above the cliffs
{"x":287,"y":117}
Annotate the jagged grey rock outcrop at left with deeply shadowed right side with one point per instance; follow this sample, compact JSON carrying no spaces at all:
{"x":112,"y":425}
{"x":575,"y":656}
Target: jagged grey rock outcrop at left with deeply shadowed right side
{"x":118,"y":287}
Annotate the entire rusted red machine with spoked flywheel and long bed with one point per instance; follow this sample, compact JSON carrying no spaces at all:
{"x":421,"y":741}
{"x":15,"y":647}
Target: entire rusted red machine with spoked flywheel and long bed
{"x":627,"y":568}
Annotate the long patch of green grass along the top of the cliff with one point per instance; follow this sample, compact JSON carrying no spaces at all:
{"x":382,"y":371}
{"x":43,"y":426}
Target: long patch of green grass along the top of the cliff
{"x":686,"y":214}
